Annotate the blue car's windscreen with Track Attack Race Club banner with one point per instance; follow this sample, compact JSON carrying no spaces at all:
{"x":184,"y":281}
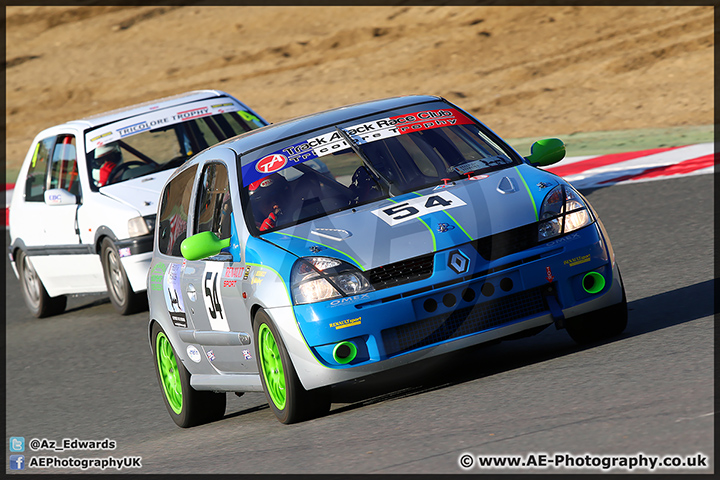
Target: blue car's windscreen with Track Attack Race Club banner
{"x":346,"y":167}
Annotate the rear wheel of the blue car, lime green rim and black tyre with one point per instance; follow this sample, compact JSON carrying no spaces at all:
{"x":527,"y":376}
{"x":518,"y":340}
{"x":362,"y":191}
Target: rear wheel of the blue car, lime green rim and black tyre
{"x":187,"y":407}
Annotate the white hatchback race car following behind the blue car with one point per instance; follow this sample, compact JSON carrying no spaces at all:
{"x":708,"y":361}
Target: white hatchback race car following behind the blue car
{"x":83,"y":210}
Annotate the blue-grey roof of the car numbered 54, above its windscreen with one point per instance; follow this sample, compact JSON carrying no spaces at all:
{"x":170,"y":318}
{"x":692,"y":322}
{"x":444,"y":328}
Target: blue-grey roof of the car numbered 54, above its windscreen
{"x":290,"y":128}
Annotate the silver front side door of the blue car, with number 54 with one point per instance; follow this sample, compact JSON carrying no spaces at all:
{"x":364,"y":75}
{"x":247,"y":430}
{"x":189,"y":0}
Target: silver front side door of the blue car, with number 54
{"x":216,"y":281}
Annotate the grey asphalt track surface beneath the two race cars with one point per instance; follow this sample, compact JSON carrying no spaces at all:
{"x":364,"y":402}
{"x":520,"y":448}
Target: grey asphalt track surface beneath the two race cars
{"x":88,"y":374}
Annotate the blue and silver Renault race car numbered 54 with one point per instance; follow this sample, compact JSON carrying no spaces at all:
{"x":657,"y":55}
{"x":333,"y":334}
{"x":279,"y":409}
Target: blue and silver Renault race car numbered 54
{"x":365,"y":238}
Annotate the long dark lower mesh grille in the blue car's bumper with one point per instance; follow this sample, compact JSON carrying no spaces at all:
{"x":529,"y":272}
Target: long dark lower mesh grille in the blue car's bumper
{"x":464,"y":321}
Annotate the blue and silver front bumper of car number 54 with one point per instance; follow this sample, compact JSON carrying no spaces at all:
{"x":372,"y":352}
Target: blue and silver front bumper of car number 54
{"x":450,"y":310}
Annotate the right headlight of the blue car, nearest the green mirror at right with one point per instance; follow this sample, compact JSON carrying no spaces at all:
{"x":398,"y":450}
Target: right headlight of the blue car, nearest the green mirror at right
{"x":561,"y":212}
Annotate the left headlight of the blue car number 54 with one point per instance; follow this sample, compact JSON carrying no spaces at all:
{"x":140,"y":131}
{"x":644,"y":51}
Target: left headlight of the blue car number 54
{"x":315,"y":279}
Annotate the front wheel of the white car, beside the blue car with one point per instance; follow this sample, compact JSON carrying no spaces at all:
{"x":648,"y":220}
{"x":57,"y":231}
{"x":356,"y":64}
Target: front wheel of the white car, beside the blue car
{"x":122,"y":296}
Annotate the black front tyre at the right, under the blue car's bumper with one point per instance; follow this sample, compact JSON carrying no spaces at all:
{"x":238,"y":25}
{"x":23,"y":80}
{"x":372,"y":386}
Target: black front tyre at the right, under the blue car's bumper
{"x":601,"y":324}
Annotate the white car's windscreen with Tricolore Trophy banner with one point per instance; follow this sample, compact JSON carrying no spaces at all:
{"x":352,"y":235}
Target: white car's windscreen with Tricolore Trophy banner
{"x":163,"y":139}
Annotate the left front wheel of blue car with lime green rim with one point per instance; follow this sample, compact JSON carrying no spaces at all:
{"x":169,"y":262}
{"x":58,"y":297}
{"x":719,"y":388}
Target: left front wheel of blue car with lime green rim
{"x":288,"y":399}
